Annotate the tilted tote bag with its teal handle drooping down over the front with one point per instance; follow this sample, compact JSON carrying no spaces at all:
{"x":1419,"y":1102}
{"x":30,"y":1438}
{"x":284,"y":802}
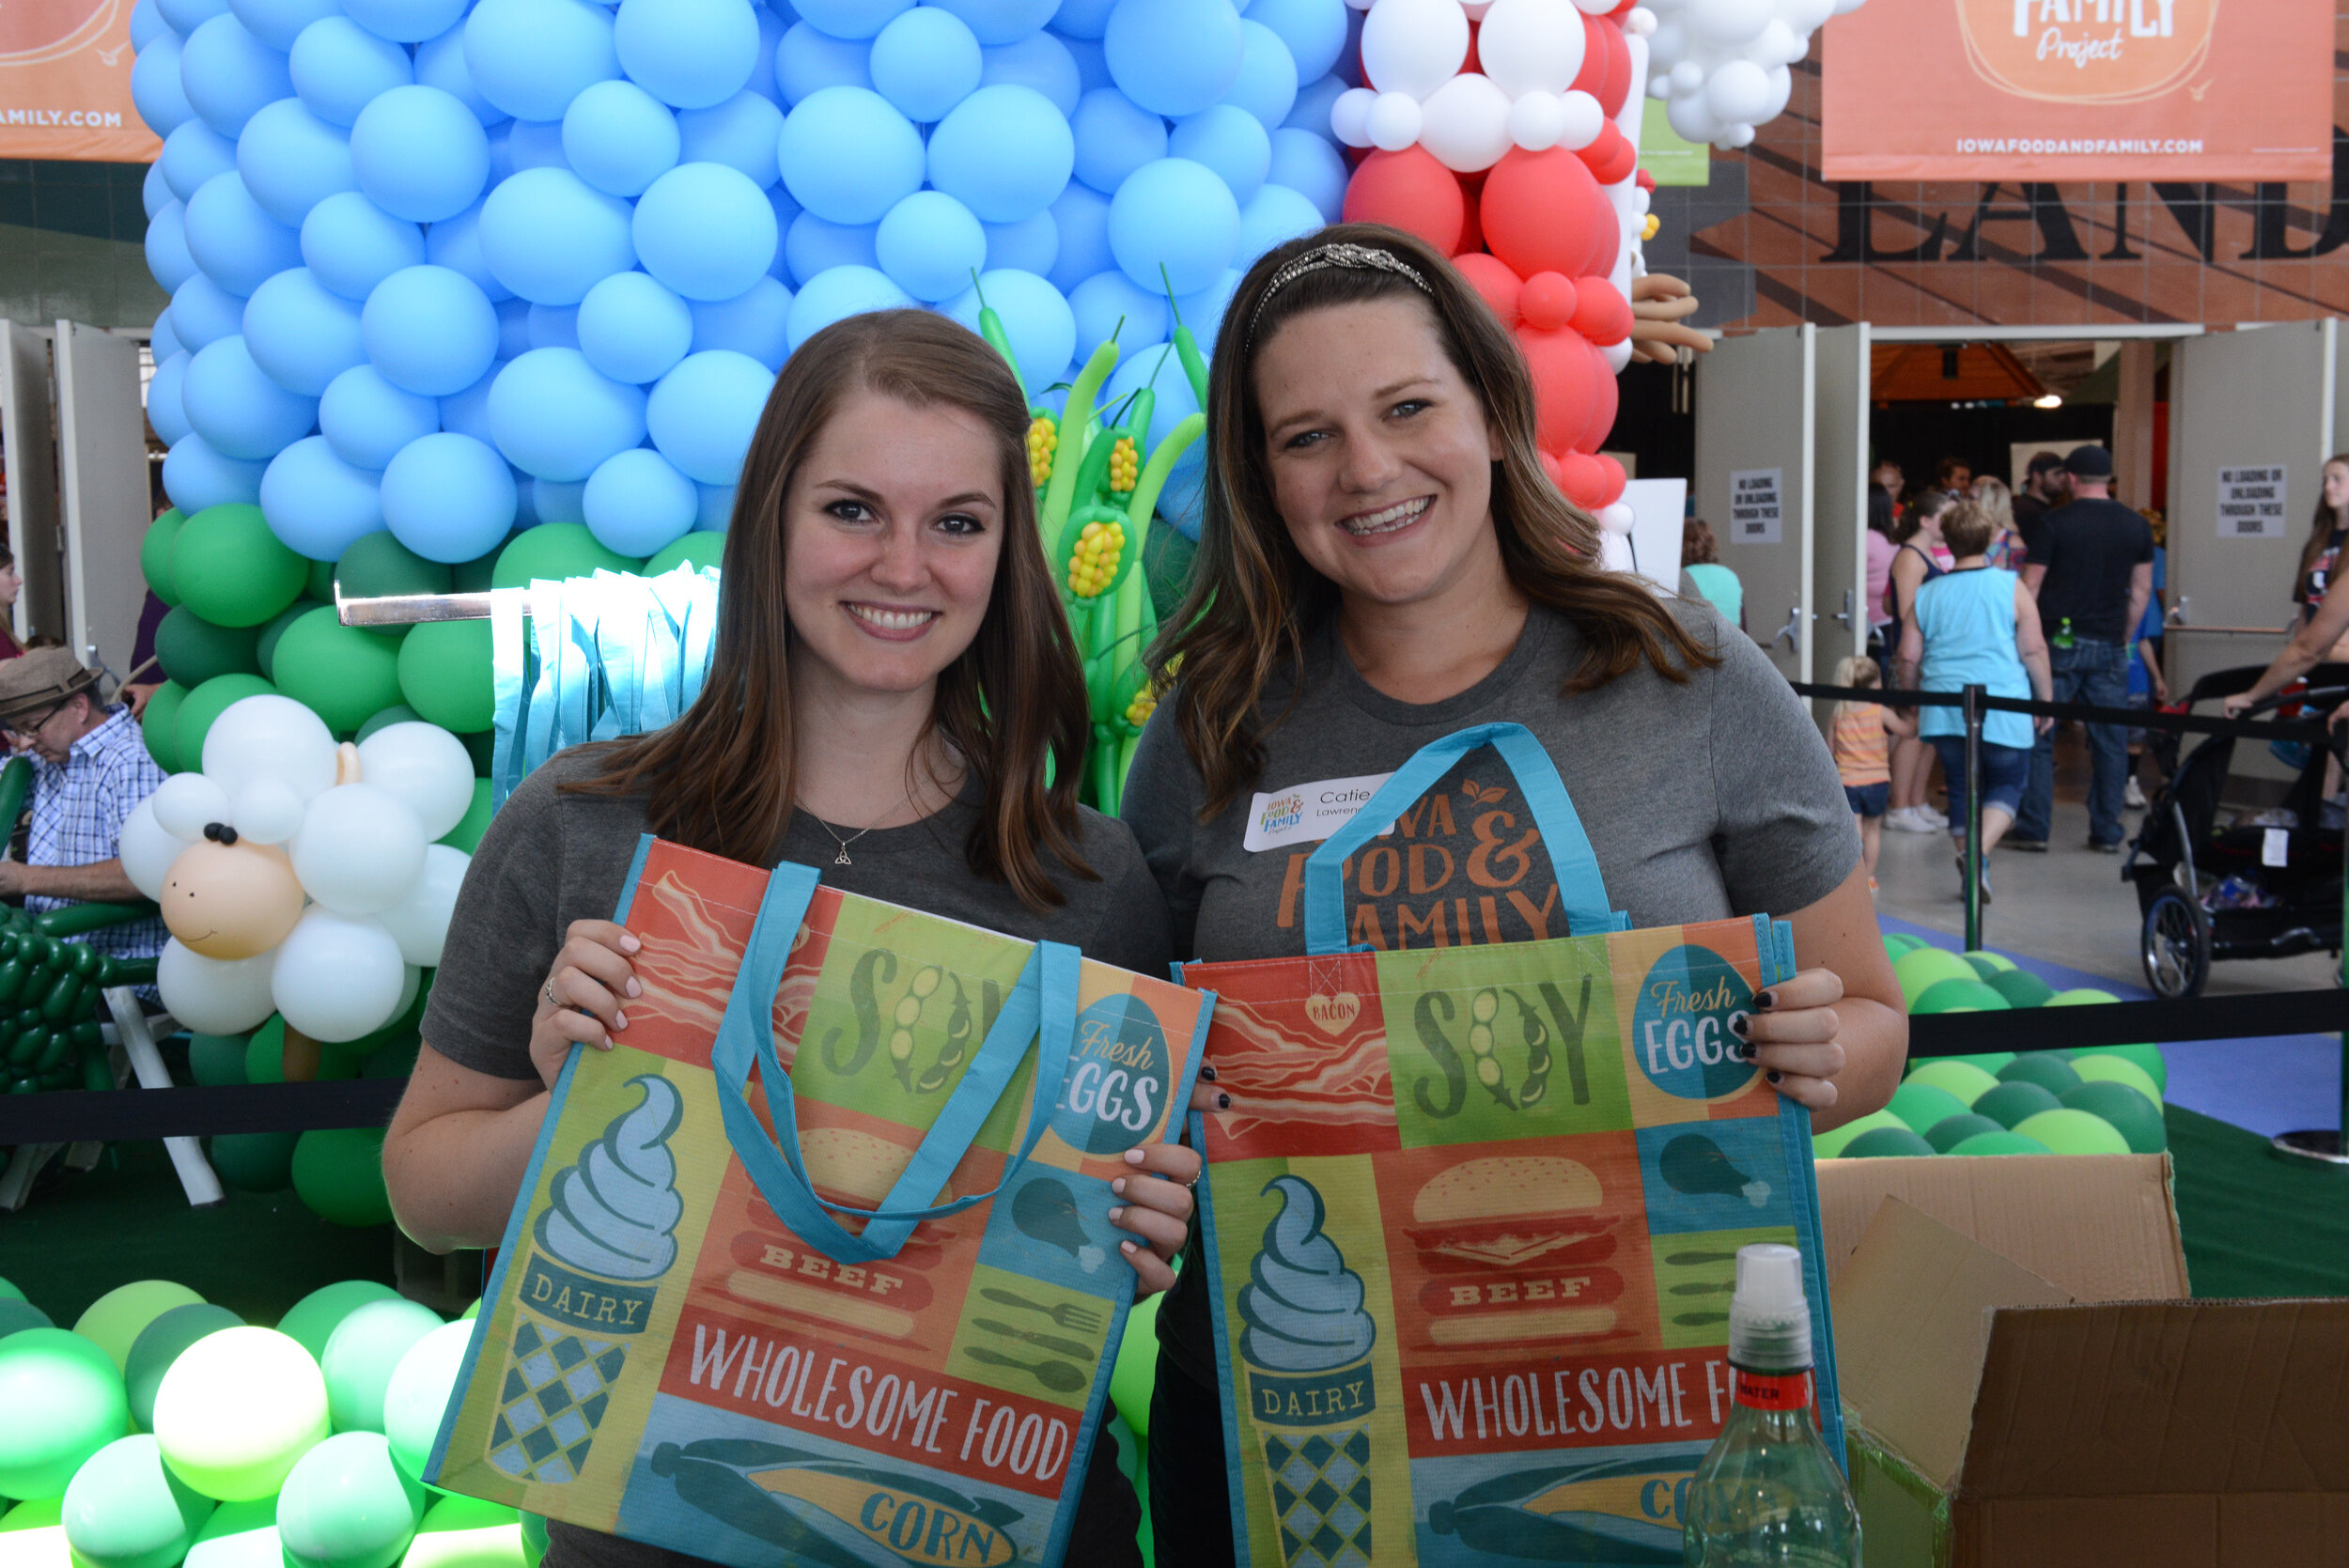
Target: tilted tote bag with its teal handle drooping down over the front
{"x":694,"y":1344}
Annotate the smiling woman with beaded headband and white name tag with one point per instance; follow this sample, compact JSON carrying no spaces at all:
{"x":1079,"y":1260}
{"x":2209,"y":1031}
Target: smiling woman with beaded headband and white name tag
{"x":1385,"y":565}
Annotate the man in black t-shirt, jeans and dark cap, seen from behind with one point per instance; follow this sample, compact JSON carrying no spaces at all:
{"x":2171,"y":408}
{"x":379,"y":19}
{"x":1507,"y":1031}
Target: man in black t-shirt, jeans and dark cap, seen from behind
{"x":2092,"y":572}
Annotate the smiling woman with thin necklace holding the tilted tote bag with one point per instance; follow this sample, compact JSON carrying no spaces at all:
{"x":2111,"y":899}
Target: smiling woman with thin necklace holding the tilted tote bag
{"x":896,"y":698}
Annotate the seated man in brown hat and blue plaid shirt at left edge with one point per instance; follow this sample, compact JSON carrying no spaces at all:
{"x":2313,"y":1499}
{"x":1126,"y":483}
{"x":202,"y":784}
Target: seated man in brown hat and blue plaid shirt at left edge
{"x":90,"y":773}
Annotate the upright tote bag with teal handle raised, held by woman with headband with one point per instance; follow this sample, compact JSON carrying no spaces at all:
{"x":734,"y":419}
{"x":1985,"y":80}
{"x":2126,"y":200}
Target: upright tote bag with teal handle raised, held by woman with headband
{"x":1474,"y":1215}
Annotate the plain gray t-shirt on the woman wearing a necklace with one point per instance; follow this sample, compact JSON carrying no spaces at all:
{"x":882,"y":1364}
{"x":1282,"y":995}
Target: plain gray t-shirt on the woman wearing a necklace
{"x":556,"y":858}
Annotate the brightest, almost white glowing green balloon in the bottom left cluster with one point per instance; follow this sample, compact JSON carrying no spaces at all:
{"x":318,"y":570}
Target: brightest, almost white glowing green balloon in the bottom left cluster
{"x":238,"y":1410}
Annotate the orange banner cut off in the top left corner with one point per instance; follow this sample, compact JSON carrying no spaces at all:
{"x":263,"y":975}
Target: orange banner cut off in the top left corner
{"x":67,"y":83}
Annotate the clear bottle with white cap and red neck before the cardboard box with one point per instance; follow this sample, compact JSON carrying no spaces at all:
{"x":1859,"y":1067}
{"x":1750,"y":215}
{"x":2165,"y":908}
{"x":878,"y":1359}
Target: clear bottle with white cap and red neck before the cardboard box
{"x":1770,"y":1492}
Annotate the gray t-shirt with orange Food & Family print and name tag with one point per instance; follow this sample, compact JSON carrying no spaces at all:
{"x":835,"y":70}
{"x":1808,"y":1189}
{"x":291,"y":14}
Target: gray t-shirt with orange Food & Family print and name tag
{"x":1702,"y":802}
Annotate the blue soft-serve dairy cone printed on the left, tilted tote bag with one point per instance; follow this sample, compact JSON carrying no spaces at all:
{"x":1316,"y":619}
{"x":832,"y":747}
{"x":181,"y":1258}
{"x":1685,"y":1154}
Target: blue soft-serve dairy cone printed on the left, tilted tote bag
{"x":588,"y":1285}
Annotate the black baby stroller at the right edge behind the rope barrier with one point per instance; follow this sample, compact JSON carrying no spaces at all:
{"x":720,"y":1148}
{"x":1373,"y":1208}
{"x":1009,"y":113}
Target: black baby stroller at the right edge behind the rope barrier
{"x":2223,"y":881}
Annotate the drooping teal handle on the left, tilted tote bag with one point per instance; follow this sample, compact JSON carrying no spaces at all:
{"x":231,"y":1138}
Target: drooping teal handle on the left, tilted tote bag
{"x":1039,"y":1008}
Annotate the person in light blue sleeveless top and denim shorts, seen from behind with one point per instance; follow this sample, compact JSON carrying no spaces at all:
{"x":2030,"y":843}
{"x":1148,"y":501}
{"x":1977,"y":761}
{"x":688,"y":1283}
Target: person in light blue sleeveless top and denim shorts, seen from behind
{"x":1977,"y":626}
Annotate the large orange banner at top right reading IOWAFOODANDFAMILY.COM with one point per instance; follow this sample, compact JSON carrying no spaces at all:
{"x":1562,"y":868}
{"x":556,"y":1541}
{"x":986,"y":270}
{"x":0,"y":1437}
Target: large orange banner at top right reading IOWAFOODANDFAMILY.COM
{"x":2080,"y":90}
